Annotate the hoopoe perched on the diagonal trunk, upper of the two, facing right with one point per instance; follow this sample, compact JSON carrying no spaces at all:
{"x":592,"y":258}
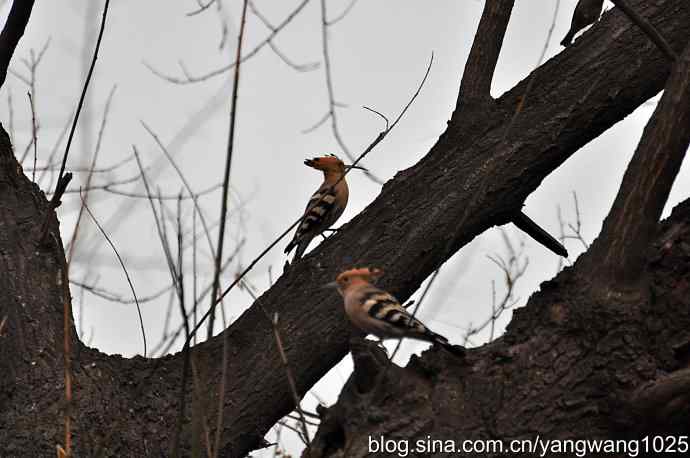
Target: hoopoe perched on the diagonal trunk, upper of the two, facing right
{"x":326,"y":205}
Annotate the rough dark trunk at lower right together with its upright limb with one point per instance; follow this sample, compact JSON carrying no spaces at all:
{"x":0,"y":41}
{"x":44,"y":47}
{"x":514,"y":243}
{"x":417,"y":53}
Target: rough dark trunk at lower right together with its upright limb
{"x":590,"y":356}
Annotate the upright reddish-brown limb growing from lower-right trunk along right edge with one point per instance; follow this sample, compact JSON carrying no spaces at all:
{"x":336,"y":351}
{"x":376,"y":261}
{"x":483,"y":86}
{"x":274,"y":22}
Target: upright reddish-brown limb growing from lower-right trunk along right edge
{"x":617,"y":257}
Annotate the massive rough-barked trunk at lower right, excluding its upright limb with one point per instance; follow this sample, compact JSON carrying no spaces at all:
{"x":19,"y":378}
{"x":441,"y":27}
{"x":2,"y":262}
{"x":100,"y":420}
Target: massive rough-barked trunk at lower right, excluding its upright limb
{"x":570,"y":365}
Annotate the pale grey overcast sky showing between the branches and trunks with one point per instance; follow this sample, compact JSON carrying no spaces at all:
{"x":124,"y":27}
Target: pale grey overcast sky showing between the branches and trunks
{"x":379,"y":53}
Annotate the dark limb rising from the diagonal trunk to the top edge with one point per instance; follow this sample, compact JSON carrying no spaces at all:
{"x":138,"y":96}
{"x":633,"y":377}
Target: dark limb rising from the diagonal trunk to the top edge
{"x":476,"y":81}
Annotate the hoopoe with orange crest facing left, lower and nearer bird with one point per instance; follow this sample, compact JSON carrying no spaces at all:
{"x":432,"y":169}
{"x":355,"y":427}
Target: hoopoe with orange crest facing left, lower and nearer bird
{"x":377,"y":312}
